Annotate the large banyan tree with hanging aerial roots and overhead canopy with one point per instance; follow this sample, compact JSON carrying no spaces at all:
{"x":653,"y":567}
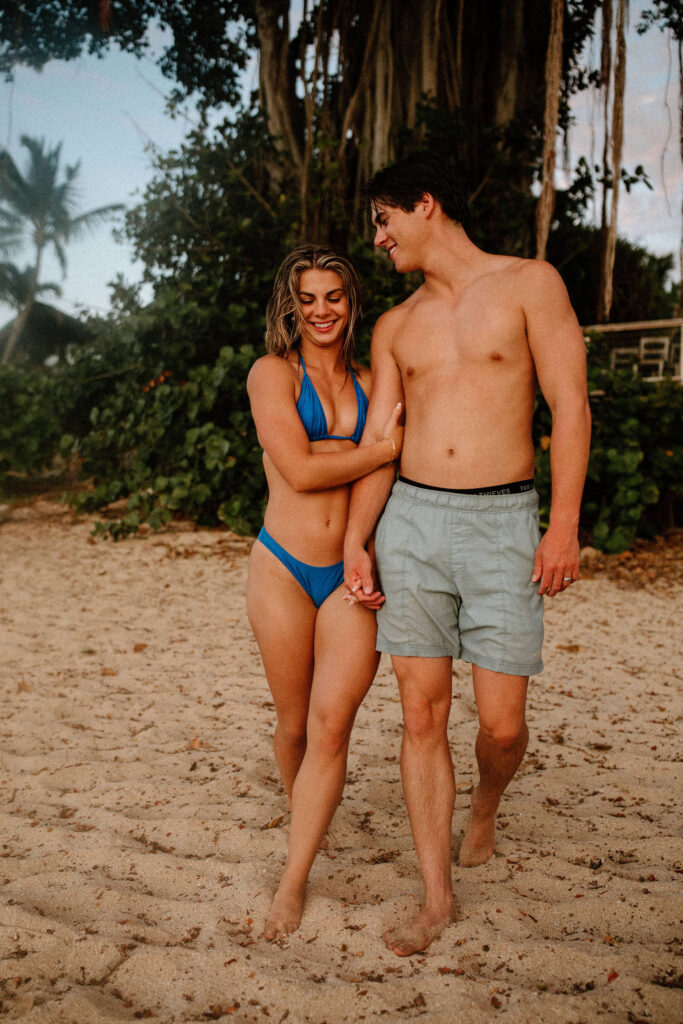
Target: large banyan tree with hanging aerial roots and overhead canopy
{"x":348,"y":86}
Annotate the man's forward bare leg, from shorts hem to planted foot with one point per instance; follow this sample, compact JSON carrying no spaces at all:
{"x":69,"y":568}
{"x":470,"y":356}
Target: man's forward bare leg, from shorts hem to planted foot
{"x":425,"y":686}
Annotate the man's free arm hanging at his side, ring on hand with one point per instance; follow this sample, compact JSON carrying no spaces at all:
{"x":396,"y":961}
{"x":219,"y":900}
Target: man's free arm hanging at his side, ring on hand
{"x":560,"y":356}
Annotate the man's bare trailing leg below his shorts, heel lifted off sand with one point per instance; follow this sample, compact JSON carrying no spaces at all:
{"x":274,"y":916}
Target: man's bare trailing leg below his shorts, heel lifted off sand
{"x":500,"y":748}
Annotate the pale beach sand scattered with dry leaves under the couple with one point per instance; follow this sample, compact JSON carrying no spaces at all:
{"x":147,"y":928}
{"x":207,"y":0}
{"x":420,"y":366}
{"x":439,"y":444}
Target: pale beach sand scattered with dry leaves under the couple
{"x":143,"y":829}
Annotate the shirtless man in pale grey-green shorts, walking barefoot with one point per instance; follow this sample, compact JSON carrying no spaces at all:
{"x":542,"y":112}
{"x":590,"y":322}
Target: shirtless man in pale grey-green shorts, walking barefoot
{"x":459,"y":553}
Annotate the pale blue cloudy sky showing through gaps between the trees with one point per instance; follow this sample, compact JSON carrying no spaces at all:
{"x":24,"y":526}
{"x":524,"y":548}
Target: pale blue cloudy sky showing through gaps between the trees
{"x":109,"y":112}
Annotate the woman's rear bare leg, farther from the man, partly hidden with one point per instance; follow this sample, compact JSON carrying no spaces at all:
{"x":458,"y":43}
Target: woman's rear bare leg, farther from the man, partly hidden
{"x":283,"y":618}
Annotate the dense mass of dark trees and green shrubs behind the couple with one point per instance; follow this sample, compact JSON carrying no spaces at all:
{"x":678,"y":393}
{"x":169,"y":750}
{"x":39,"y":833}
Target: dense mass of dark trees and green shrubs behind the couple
{"x":155,"y":408}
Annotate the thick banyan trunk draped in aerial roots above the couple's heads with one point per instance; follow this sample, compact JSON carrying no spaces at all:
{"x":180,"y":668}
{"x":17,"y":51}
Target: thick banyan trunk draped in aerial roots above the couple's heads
{"x":377,"y":62}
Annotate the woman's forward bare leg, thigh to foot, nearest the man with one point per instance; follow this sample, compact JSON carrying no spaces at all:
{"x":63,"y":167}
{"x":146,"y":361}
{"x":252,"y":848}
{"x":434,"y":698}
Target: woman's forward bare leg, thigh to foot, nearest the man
{"x":346,"y":666}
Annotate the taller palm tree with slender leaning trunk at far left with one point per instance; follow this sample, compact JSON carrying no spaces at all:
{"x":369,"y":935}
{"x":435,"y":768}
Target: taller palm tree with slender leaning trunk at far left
{"x":39,"y":208}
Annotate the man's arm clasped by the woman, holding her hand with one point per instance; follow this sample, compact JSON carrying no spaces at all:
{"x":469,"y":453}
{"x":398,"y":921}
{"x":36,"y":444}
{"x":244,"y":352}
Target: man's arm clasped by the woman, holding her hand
{"x":369,"y":495}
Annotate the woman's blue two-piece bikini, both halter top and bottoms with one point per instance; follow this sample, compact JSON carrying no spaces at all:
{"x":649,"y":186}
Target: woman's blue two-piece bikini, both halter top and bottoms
{"x":318,"y":581}
